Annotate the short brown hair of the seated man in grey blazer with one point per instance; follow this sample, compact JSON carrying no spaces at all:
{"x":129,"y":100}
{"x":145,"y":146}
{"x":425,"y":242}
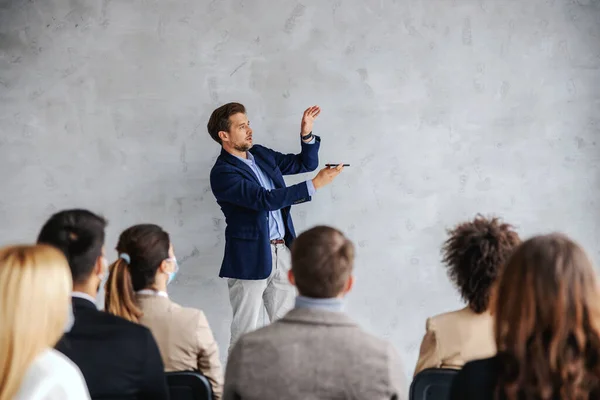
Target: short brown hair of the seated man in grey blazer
{"x":322,"y":262}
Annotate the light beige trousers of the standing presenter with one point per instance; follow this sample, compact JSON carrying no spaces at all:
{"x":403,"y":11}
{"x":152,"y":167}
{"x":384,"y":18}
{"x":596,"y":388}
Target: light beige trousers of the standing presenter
{"x":248,"y":297}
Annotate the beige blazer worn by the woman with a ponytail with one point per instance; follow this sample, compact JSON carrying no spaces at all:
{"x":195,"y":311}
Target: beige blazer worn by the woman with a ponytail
{"x":184,"y":338}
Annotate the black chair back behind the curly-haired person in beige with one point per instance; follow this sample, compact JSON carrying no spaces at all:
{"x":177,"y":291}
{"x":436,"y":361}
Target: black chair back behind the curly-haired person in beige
{"x":432,"y":384}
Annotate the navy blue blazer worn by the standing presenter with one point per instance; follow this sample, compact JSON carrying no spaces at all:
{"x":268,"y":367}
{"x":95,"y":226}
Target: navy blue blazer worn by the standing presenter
{"x":246,"y":204}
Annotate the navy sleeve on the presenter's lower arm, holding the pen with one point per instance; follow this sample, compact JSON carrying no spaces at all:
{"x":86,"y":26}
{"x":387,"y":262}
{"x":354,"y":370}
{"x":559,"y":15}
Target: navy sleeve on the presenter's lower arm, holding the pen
{"x":229,"y":185}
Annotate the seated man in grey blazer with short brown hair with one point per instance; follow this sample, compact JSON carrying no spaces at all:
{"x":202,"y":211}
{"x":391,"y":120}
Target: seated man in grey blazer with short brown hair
{"x":316,"y":351}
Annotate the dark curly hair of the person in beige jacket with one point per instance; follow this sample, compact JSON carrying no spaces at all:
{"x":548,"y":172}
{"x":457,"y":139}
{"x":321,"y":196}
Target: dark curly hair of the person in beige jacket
{"x":474,"y":252}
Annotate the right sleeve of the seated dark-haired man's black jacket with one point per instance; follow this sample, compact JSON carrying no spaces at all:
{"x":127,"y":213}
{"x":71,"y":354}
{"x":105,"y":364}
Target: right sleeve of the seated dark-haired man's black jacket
{"x":154,"y":381}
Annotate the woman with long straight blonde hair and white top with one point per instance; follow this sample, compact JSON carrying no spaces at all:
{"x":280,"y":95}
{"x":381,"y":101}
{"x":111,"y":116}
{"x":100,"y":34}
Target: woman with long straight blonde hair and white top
{"x":35,"y":290}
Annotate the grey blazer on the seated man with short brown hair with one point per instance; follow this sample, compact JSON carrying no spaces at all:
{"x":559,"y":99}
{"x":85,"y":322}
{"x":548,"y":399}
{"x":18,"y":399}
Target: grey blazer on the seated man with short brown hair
{"x":313,"y":354}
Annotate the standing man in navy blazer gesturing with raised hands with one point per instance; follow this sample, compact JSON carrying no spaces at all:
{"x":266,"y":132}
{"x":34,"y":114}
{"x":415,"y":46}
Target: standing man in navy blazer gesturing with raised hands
{"x":247,"y":182}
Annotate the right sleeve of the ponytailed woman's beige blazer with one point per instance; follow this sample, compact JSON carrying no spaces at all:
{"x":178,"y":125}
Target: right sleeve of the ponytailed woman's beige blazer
{"x":208,"y":356}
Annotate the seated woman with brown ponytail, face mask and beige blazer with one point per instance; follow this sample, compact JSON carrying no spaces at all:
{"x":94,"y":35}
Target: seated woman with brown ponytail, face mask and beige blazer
{"x":137,"y":290}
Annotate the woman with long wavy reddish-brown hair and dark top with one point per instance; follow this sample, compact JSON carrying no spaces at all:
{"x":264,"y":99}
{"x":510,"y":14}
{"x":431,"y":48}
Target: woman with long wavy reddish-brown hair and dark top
{"x":547,"y":327}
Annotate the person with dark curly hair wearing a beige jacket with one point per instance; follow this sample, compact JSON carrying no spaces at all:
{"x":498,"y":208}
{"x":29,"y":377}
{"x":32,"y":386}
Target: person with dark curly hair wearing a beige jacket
{"x":473,"y":254}
